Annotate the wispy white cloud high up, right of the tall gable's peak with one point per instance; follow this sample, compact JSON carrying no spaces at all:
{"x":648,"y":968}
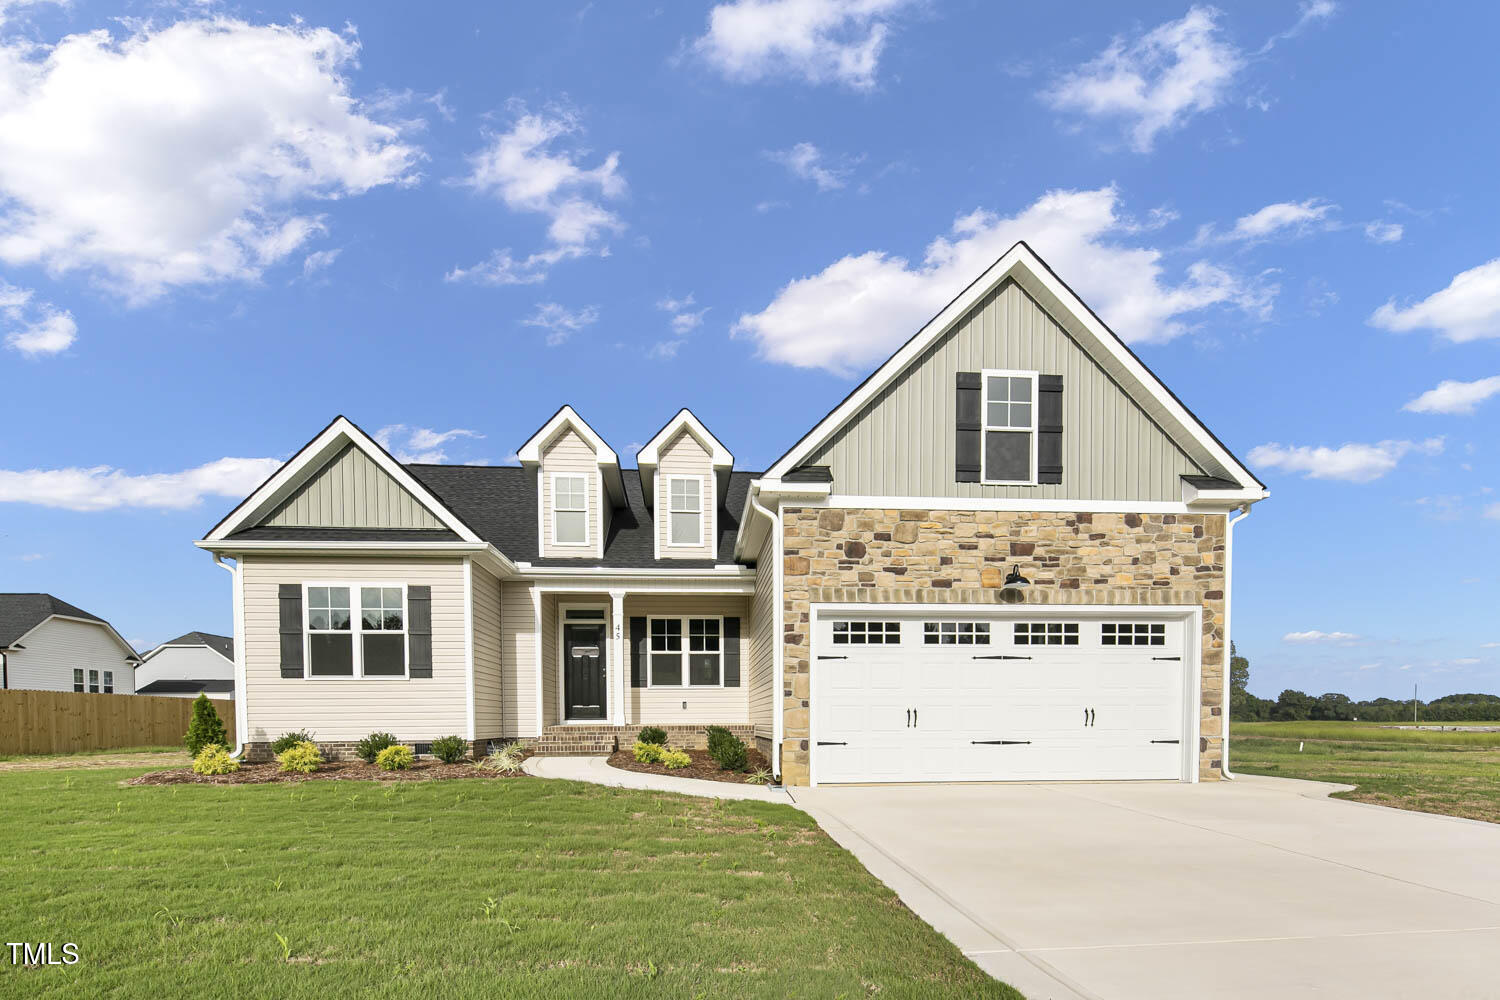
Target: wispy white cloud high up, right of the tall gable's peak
{"x":1154,"y":83}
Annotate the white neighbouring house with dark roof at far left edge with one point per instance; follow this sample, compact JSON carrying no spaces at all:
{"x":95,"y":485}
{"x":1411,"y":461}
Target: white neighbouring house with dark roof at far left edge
{"x":50,"y":645}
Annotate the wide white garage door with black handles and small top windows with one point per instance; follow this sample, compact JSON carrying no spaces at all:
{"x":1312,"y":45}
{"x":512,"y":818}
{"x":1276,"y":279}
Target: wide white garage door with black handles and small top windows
{"x":902,"y":696}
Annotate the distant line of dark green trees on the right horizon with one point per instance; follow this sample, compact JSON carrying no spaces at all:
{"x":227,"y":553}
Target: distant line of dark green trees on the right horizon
{"x":1292,"y":707}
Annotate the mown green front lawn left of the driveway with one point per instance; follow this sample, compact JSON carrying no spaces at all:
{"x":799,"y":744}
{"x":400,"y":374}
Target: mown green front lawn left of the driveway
{"x":506,"y":888}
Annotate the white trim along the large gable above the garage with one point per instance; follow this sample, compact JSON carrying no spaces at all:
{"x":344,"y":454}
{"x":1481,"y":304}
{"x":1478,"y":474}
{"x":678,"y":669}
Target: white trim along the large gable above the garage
{"x":1039,"y":280}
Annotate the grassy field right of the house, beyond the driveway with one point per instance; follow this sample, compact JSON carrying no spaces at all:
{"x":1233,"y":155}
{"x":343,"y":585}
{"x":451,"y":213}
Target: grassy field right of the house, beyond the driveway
{"x":1454,"y":774}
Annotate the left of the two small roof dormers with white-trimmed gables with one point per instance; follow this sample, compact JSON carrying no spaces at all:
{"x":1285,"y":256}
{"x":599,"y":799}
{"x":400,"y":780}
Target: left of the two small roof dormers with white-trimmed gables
{"x":578,"y":487}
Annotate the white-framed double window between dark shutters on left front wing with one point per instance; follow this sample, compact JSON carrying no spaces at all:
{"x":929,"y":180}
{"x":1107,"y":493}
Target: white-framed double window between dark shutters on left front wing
{"x":343,"y":644}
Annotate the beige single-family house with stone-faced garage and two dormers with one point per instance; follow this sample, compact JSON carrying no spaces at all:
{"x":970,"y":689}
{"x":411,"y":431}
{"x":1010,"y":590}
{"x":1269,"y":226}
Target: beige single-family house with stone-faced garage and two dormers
{"x":1006,"y":555}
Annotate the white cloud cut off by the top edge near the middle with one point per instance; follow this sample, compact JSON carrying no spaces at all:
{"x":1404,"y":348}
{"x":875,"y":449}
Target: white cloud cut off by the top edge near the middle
{"x":817,"y":41}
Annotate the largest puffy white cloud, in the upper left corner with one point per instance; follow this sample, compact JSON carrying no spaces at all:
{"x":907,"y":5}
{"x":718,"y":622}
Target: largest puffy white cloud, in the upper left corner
{"x":182,"y":155}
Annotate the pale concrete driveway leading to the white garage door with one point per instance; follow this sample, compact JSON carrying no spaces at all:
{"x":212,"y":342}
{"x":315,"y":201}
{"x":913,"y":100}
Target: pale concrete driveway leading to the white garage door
{"x":1258,"y":888}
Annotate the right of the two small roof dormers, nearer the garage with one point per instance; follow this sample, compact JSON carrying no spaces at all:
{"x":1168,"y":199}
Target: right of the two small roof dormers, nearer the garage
{"x":685,"y":472}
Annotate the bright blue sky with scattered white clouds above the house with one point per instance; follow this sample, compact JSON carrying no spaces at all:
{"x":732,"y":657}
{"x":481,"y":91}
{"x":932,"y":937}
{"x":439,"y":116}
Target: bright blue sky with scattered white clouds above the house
{"x":223,"y":226}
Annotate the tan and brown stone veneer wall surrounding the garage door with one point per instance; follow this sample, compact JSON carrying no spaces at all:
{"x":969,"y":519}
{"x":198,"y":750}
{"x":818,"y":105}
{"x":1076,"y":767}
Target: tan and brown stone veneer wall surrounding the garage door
{"x":937,"y":557}
